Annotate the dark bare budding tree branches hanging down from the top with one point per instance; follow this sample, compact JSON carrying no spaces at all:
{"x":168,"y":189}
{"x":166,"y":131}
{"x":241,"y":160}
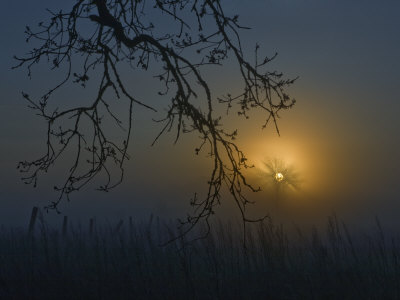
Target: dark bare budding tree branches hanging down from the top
{"x":106,"y":35}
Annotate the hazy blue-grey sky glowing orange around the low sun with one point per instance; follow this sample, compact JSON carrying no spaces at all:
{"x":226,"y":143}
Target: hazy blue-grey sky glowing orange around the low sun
{"x":342,"y":136}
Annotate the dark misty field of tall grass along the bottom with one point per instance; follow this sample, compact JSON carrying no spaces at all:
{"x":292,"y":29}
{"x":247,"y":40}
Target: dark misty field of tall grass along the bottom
{"x":126,"y":261}
